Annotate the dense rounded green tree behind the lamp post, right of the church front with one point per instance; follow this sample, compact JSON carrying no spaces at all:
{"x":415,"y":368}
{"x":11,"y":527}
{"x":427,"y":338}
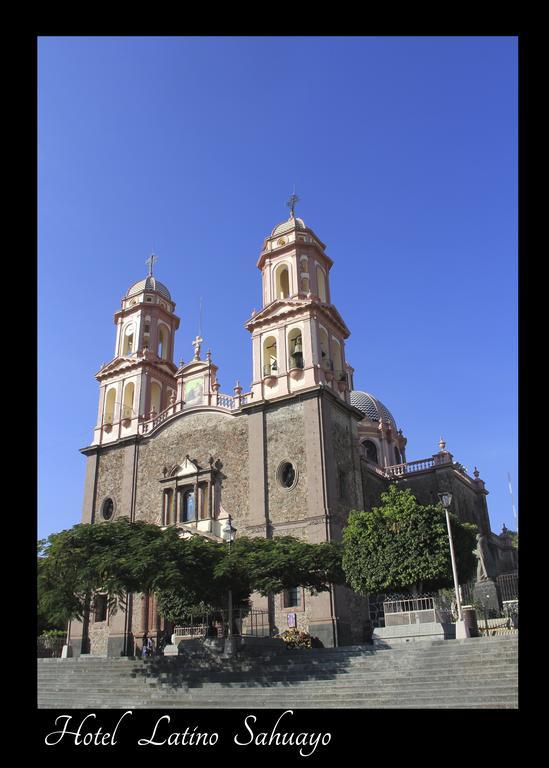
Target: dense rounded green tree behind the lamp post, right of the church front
{"x":404,"y":545}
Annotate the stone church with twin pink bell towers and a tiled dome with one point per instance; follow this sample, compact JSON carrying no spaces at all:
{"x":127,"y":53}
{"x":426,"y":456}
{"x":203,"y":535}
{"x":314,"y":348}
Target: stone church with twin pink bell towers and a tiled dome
{"x":291,"y":456}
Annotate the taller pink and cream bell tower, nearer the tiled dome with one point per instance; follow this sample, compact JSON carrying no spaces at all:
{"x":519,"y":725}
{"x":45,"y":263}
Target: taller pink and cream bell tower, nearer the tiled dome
{"x":298,"y":336}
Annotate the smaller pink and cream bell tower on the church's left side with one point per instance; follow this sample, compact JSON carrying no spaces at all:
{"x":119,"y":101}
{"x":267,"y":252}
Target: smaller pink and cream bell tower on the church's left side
{"x":140,"y":379}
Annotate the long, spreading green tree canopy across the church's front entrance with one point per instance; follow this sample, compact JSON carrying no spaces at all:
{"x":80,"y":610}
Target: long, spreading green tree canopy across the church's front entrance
{"x":121,"y":556}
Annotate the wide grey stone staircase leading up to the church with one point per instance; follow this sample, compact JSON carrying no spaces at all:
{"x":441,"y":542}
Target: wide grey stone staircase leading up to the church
{"x":477,"y":673}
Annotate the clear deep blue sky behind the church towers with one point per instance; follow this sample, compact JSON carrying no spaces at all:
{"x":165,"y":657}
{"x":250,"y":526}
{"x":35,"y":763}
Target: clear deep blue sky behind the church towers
{"x":404,"y":154}
